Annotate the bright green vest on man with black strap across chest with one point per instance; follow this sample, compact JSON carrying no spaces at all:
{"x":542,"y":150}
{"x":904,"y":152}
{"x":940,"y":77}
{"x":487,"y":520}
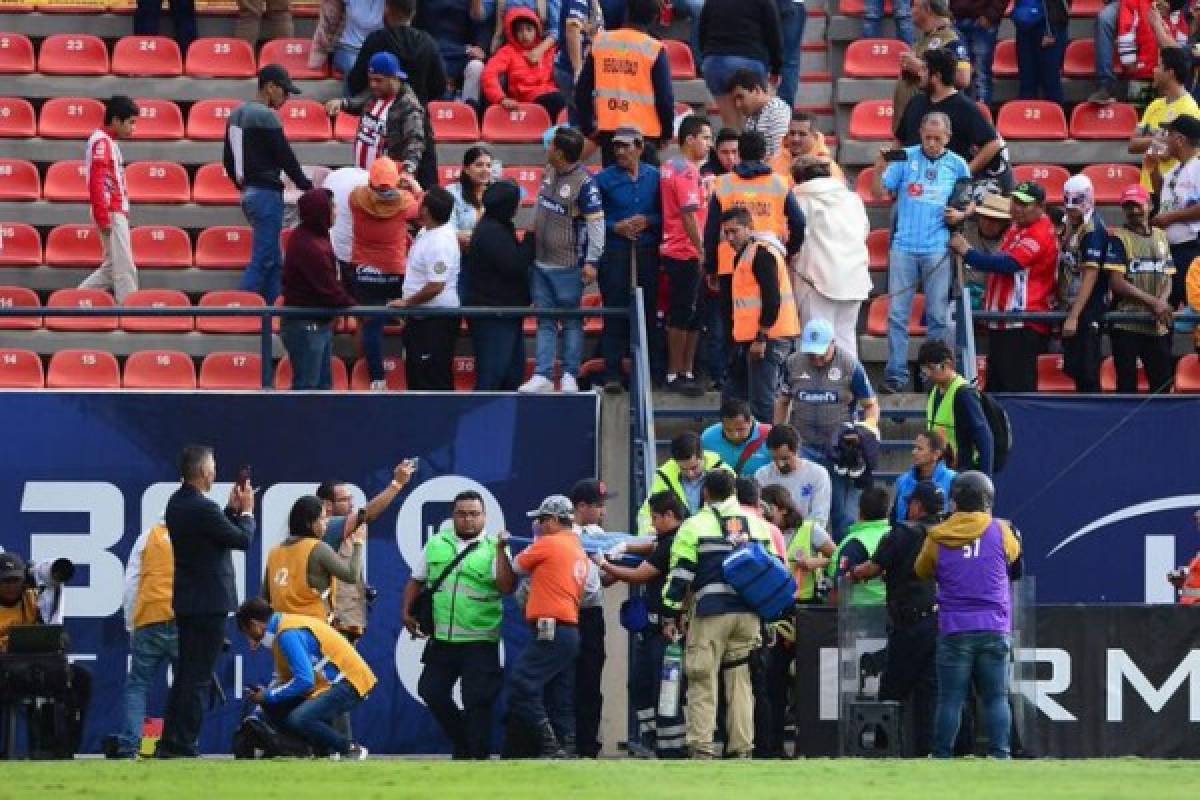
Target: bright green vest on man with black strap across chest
{"x":467,"y":606}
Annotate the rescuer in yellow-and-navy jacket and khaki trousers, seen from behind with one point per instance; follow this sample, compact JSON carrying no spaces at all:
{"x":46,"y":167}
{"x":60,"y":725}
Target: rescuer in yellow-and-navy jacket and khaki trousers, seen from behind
{"x":723,"y":631}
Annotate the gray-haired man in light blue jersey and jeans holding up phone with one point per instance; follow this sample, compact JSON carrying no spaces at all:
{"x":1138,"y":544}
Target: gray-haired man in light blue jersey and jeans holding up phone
{"x":922,"y":184}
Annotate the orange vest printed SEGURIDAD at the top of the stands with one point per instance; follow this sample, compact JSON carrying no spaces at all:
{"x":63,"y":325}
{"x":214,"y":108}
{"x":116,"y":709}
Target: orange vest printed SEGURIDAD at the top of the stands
{"x":625,"y":81}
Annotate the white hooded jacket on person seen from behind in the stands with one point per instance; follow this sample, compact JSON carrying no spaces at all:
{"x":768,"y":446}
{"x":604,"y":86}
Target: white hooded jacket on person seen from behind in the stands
{"x":833,"y":257}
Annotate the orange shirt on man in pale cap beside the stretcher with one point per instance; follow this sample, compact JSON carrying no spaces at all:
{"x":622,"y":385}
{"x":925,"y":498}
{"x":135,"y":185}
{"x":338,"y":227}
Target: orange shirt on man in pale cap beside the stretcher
{"x":557,"y":569}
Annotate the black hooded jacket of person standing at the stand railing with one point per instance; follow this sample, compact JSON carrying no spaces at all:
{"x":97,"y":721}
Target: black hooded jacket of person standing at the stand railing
{"x":496,"y":269}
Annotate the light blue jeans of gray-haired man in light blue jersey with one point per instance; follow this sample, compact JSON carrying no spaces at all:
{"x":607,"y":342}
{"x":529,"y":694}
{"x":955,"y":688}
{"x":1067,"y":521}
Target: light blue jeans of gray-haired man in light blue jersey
{"x":907,"y":270}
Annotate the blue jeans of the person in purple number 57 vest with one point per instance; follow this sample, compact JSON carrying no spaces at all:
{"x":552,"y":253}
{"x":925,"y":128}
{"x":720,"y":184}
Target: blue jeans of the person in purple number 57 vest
{"x":982,"y":659}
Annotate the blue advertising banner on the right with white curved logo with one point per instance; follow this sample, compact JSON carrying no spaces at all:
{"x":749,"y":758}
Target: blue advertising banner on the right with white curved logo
{"x":1103,"y":491}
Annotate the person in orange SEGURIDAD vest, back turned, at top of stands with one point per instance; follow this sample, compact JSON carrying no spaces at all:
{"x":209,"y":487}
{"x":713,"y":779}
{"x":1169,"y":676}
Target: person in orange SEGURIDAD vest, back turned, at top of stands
{"x":626,"y":81}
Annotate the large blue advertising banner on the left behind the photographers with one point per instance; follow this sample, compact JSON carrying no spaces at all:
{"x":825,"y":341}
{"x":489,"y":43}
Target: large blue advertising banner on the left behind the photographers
{"x":85,"y":474}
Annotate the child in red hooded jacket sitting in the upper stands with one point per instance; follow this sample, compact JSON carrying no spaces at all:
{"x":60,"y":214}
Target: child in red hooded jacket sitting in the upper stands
{"x":526,"y":82}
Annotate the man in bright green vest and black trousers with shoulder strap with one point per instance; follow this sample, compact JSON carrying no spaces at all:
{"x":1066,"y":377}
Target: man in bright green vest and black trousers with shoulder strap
{"x":467,"y":615}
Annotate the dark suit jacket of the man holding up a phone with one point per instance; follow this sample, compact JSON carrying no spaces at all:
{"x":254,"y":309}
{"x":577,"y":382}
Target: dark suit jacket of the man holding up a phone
{"x":202,"y":538}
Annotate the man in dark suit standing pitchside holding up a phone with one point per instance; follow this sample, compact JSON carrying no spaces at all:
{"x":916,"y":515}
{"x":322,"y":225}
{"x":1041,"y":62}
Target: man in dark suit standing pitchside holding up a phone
{"x":202,"y":538}
